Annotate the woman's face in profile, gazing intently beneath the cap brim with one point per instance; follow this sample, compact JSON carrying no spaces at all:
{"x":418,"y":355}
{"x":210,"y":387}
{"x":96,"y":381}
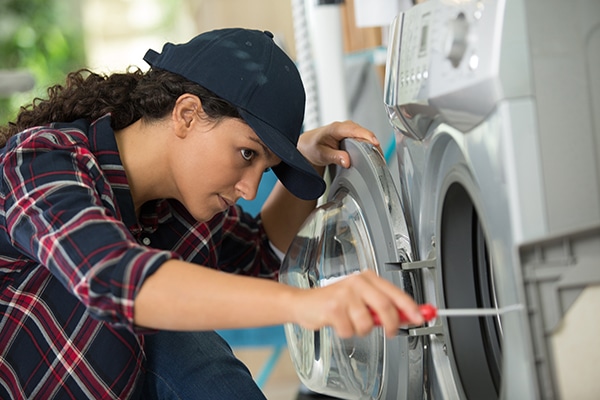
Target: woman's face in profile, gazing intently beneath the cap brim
{"x":217,"y":164}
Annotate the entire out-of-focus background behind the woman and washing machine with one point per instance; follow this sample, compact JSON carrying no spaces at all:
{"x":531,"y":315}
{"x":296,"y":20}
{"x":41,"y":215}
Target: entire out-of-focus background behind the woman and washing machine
{"x":43,"y":40}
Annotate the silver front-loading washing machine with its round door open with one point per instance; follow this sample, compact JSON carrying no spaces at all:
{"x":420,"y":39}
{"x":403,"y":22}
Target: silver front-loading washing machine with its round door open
{"x":492,"y":202}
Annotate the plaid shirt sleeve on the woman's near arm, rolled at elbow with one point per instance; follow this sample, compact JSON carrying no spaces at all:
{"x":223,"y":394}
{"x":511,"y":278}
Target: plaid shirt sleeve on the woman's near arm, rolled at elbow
{"x":60,"y":213}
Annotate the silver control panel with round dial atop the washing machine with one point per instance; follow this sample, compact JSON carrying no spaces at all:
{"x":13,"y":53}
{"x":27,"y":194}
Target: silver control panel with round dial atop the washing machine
{"x":445,"y":62}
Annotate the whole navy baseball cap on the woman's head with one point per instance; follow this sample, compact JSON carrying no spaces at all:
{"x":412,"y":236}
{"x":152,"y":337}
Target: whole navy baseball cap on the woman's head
{"x":246,"y":68}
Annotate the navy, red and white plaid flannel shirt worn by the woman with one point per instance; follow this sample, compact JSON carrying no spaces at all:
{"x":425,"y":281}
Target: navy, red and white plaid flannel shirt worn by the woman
{"x":73,"y":256}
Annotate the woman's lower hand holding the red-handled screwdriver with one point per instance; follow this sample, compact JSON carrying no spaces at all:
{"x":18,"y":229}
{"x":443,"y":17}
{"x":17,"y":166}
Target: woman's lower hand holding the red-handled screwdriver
{"x":346,"y":306}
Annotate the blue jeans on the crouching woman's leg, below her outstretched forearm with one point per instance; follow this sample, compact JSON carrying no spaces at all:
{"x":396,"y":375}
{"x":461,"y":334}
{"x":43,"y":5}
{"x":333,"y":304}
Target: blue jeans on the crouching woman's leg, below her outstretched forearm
{"x":195,"y":365}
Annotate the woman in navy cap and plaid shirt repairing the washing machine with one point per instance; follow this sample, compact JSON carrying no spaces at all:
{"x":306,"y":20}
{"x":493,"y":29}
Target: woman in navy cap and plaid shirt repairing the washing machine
{"x":118,"y":220}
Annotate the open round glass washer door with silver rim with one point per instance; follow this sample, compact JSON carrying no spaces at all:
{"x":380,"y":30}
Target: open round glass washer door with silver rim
{"x":360,"y":227}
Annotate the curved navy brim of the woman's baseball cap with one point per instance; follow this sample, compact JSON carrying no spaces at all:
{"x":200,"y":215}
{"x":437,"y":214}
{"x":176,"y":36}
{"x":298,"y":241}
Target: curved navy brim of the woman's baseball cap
{"x":294,"y":172}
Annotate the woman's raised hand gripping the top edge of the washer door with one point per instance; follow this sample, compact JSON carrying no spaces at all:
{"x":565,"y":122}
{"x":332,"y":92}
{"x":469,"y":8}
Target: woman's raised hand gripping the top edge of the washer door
{"x":321,"y":146}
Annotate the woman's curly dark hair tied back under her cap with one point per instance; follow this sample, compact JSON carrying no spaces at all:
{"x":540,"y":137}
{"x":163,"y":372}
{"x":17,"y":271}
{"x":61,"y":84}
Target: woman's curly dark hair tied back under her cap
{"x":128,"y":96}
